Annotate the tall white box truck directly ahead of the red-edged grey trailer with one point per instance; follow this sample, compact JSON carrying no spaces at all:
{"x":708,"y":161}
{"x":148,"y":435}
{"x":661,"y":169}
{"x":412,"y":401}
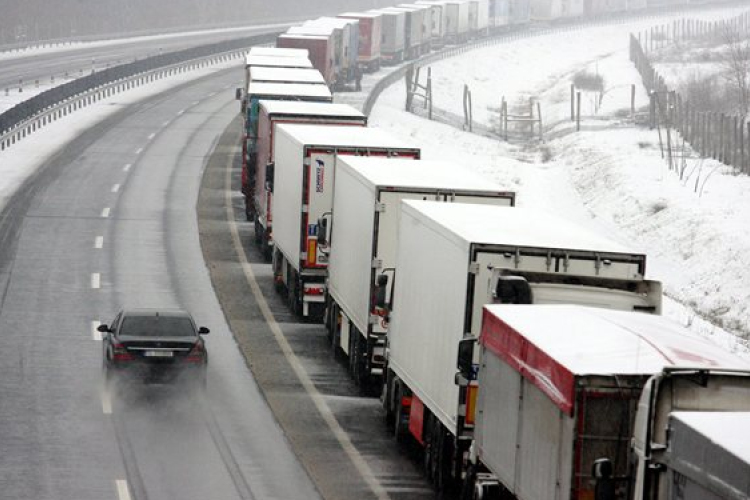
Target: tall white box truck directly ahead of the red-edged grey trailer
{"x":453,"y":259}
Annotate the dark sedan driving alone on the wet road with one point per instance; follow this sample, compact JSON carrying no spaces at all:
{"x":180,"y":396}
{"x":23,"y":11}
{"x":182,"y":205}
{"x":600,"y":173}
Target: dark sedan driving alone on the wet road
{"x":155,"y":346}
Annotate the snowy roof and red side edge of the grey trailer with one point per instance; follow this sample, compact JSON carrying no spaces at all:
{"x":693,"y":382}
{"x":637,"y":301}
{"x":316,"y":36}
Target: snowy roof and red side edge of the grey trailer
{"x":551,"y":345}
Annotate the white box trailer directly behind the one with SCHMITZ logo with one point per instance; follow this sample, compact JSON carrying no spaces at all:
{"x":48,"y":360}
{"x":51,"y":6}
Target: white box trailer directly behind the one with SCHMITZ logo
{"x":363,"y":240}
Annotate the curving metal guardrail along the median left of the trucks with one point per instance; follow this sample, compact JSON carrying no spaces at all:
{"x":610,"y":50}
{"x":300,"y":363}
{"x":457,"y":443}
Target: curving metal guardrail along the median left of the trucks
{"x":18,"y":121}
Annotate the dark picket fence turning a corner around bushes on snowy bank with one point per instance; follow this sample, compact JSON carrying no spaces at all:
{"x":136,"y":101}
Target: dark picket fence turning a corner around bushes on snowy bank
{"x":723,"y":137}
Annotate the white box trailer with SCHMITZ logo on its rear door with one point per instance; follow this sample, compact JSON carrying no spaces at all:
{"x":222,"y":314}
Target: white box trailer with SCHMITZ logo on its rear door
{"x":306,"y":158}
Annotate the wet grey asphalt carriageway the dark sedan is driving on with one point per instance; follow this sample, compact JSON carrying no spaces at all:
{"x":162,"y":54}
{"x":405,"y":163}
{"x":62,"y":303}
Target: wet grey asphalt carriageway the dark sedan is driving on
{"x":110,"y":221}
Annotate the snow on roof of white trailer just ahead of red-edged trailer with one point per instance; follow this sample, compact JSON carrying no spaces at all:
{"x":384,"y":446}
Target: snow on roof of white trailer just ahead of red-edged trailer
{"x":518,"y":227}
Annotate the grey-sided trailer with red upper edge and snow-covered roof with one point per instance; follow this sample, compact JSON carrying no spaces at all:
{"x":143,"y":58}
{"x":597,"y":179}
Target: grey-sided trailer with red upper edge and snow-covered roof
{"x":559,"y":388}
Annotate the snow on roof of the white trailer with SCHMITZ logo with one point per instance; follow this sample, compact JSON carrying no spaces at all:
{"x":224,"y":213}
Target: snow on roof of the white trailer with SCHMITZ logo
{"x":344,"y":136}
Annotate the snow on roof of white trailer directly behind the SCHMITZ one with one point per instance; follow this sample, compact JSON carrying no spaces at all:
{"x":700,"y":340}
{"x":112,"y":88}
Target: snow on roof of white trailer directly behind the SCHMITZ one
{"x":423,"y":173}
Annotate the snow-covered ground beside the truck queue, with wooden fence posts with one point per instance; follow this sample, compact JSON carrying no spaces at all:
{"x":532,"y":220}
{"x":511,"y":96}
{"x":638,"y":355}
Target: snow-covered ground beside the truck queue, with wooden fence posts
{"x":613,"y":179}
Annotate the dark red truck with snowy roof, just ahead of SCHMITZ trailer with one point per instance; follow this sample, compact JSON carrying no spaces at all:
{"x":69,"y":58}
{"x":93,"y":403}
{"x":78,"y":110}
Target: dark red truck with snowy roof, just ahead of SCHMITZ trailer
{"x":258,"y":200}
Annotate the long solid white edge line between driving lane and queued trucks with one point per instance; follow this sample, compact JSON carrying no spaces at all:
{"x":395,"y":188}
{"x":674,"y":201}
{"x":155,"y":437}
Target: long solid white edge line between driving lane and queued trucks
{"x":322,"y":406}
